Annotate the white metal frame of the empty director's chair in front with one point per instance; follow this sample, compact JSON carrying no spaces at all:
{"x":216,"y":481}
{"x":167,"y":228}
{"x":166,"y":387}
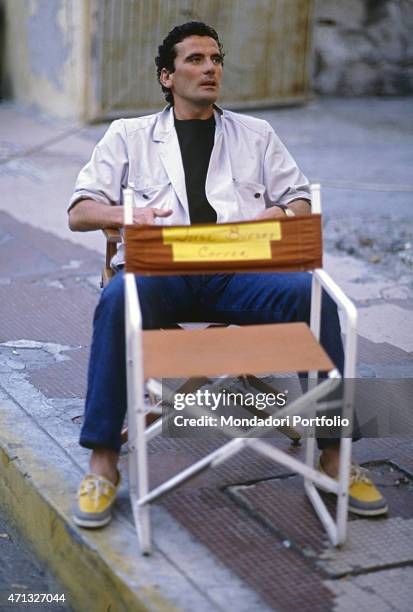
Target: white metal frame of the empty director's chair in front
{"x":140,"y":494}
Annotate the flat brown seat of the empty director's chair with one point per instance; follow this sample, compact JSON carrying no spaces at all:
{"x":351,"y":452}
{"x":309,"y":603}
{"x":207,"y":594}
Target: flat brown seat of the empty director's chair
{"x":282,"y":347}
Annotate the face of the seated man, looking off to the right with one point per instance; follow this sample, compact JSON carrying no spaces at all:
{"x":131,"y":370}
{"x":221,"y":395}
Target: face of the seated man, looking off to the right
{"x":198,"y":72}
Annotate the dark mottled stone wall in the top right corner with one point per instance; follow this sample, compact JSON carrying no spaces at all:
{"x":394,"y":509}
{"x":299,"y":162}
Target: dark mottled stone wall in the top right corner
{"x":363,"y":47}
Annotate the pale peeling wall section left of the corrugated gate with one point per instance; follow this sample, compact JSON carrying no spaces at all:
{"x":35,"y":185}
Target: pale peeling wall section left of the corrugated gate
{"x":45,"y":54}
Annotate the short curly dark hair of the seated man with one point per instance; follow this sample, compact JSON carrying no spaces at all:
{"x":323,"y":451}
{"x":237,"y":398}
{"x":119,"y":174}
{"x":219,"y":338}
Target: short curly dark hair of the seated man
{"x":167,"y":52}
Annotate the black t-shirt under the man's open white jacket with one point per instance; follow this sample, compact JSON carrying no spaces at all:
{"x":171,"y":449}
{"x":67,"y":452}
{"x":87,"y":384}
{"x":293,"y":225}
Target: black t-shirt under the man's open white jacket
{"x":196,"y":141}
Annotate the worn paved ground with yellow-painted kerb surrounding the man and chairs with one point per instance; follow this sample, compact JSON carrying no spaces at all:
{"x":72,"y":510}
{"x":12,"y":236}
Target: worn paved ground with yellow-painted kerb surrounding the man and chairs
{"x":244,"y":533}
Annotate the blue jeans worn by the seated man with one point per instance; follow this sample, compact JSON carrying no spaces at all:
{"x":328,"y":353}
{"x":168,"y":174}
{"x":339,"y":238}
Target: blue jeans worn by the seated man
{"x":242,"y":299}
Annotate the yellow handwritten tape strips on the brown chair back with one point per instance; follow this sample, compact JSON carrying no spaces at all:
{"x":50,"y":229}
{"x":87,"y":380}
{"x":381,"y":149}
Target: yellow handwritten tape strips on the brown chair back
{"x":233,"y":242}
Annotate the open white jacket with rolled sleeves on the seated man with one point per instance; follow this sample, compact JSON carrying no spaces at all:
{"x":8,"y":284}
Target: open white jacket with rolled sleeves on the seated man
{"x":249,"y":169}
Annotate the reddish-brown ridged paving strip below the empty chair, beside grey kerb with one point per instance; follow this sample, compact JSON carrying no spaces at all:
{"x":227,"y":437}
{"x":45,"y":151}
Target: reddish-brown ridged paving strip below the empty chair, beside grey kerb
{"x":281,"y":576}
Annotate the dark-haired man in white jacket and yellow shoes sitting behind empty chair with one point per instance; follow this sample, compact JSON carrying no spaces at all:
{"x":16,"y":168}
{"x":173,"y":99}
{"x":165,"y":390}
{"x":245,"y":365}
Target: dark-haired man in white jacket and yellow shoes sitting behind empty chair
{"x":190,"y":163}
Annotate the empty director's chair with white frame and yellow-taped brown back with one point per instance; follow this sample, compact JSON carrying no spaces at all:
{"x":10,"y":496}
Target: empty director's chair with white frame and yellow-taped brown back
{"x":287,"y":244}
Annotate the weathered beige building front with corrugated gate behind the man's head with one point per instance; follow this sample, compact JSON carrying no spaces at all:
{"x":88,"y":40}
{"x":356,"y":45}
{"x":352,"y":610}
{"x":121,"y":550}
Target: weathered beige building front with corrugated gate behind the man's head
{"x":94,"y":59}
